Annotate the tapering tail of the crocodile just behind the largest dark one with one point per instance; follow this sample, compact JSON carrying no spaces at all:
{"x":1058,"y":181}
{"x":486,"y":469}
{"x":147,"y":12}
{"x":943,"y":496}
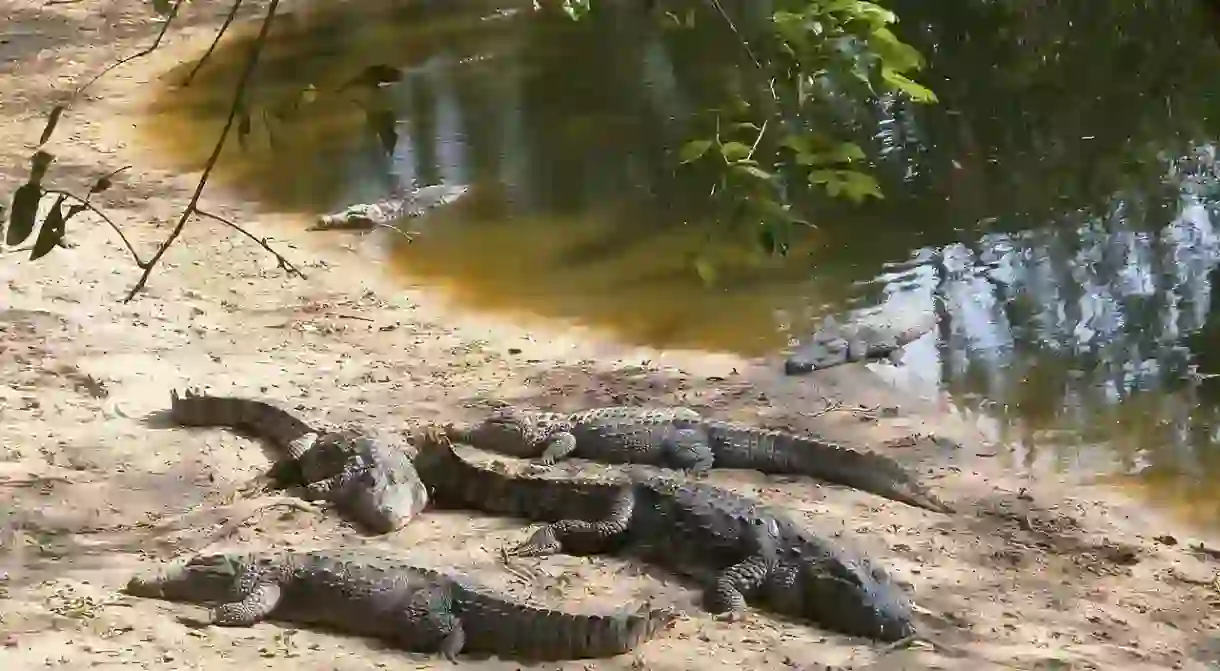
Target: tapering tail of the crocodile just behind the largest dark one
{"x":778,"y":452}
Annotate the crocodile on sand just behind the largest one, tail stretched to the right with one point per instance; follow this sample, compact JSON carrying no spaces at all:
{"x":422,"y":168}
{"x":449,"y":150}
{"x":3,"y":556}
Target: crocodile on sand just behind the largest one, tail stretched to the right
{"x":680,"y":439}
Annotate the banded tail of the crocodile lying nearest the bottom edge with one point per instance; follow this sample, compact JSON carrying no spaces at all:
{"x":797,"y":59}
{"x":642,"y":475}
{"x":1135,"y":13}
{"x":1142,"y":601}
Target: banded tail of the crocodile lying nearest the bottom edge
{"x":498,"y":625}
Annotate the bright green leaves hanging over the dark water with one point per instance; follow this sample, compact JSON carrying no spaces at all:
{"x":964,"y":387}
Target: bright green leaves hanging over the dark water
{"x":768,"y":151}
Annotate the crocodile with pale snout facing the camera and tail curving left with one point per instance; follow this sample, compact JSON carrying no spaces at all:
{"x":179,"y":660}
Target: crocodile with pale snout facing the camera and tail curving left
{"x":371,"y":485}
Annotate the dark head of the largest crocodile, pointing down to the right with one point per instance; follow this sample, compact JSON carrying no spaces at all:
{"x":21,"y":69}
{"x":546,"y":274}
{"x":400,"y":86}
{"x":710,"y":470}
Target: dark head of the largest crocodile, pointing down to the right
{"x":852,"y":597}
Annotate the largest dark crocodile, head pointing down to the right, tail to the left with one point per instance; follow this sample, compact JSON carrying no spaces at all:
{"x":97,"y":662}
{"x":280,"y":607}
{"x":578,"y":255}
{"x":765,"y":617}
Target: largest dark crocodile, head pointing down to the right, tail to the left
{"x":741,"y":551}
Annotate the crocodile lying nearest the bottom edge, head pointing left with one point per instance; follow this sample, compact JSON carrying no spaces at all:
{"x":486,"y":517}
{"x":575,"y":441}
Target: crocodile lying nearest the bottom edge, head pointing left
{"x":384,"y":597}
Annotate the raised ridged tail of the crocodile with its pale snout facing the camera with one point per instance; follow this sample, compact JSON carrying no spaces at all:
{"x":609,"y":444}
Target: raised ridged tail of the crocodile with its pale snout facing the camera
{"x":259,"y":418}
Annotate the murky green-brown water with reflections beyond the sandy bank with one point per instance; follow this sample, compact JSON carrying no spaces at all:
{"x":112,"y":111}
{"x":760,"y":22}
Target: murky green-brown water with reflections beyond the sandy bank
{"x":1057,"y":206}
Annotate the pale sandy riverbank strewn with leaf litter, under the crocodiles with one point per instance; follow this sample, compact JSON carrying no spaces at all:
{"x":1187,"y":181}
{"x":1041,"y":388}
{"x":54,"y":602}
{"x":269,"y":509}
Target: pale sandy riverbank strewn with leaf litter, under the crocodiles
{"x":88,"y":493}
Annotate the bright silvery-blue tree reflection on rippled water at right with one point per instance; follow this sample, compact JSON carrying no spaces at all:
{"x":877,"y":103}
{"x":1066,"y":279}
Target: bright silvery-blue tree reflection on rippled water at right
{"x":1066,"y":329}
